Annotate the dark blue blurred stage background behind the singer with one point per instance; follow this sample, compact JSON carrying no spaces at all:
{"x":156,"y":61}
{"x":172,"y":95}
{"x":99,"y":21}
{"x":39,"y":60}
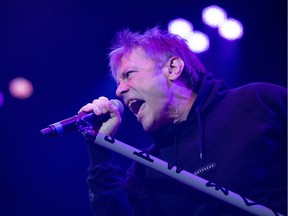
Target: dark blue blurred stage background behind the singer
{"x":53,"y":60}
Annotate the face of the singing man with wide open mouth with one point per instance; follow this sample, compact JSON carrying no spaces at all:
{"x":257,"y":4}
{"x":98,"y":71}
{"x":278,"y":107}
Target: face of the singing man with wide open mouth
{"x":144,"y":89}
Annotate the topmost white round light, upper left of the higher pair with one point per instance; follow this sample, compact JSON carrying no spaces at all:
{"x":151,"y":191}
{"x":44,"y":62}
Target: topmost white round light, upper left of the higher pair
{"x":213,"y":15}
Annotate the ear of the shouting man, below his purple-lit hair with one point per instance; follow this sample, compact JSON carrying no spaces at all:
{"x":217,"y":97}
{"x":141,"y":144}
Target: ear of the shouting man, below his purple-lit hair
{"x":175,"y":67}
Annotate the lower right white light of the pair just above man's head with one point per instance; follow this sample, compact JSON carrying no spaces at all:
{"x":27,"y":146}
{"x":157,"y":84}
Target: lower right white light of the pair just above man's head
{"x":198,"y":42}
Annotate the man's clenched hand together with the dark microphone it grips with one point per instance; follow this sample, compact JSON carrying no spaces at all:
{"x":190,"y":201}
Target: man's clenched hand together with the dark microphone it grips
{"x":103,"y":115}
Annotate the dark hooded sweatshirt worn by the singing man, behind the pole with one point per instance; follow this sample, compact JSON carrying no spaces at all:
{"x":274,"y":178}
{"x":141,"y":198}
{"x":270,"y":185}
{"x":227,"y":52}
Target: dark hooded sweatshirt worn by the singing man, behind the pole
{"x":233,"y":137}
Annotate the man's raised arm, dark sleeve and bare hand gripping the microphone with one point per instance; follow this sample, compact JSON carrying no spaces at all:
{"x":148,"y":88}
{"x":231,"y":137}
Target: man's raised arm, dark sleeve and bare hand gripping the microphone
{"x":105,"y":181}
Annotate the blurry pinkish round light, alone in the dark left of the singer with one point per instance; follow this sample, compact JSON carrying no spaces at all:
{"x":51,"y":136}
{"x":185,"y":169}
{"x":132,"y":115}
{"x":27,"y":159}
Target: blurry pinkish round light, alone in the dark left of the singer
{"x":20,"y":88}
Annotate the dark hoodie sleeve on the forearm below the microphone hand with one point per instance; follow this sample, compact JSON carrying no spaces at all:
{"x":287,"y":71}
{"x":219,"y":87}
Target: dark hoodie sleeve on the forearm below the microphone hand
{"x":107,"y":194}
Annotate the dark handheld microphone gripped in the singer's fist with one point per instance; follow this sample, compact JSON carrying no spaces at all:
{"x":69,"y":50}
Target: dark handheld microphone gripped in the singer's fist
{"x":76,"y":122}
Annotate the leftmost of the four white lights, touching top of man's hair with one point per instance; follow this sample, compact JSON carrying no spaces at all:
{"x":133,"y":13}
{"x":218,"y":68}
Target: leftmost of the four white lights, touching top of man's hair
{"x":180,"y":27}
